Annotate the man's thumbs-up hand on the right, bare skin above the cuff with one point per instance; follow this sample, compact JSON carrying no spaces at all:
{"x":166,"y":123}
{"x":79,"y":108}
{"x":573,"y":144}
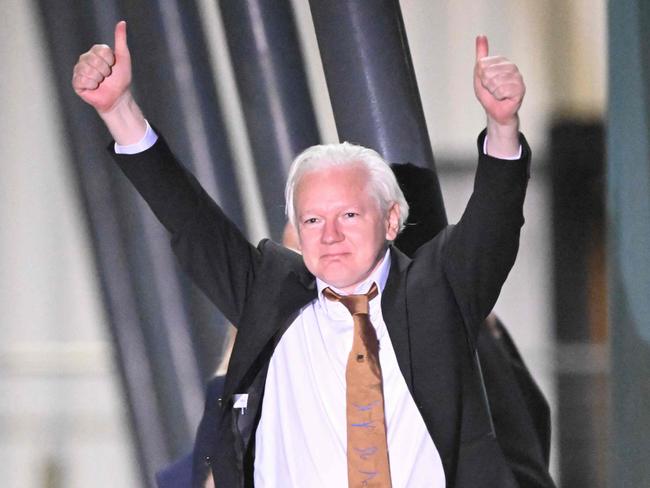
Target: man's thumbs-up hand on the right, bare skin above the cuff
{"x":498,"y":85}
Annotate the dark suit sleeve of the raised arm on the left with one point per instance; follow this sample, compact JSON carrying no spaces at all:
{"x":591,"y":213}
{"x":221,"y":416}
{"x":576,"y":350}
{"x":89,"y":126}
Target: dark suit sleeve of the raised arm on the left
{"x":209,"y":246}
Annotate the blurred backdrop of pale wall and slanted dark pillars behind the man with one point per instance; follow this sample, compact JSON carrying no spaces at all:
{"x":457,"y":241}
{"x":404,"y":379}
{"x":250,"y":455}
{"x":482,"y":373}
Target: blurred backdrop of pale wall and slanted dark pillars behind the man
{"x":105,"y":346}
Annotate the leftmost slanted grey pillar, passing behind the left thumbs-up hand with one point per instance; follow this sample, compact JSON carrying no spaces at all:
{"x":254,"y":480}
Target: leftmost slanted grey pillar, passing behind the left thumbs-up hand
{"x":68,"y":32}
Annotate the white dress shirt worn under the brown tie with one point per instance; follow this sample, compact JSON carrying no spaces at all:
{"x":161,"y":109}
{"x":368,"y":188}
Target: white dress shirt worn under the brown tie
{"x":301,"y":440}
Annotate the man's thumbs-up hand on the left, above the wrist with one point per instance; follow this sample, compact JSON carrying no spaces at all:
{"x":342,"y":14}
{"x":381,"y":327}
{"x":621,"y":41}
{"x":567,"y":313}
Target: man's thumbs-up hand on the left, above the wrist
{"x":102,"y":76}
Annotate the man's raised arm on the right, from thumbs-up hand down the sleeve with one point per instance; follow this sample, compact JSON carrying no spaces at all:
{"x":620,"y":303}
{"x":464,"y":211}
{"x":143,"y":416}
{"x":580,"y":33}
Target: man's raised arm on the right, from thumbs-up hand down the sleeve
{"x":482,"y":247}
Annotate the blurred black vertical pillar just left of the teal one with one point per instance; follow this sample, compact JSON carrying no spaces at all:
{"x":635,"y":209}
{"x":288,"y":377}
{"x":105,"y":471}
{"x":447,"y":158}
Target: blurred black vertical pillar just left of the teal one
{"x":577,"y":187}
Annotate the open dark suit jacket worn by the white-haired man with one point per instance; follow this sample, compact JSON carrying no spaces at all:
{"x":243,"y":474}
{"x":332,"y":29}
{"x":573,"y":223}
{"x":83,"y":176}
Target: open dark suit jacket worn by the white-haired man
{"x":432,"y":305}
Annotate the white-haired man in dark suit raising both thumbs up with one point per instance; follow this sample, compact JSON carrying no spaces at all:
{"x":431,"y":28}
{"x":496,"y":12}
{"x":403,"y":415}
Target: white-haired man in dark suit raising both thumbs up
{"x":283,"y":413}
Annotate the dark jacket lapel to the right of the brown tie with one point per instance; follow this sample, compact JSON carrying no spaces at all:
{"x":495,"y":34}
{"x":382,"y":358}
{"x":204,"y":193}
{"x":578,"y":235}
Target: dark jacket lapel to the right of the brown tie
{"x":393,"y":305}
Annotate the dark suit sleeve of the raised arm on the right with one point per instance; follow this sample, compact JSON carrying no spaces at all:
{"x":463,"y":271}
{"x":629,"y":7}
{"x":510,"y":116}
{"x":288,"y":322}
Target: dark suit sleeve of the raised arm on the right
{"x":482,"y":247}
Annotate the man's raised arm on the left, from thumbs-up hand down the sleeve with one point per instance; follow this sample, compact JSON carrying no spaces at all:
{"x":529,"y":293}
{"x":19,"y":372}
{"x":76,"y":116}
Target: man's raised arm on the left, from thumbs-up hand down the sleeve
{"x":210,"y":247}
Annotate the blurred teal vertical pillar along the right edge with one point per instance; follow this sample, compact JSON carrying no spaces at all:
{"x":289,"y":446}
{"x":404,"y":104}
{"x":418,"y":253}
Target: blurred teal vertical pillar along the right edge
{"x":628,"y":218}
